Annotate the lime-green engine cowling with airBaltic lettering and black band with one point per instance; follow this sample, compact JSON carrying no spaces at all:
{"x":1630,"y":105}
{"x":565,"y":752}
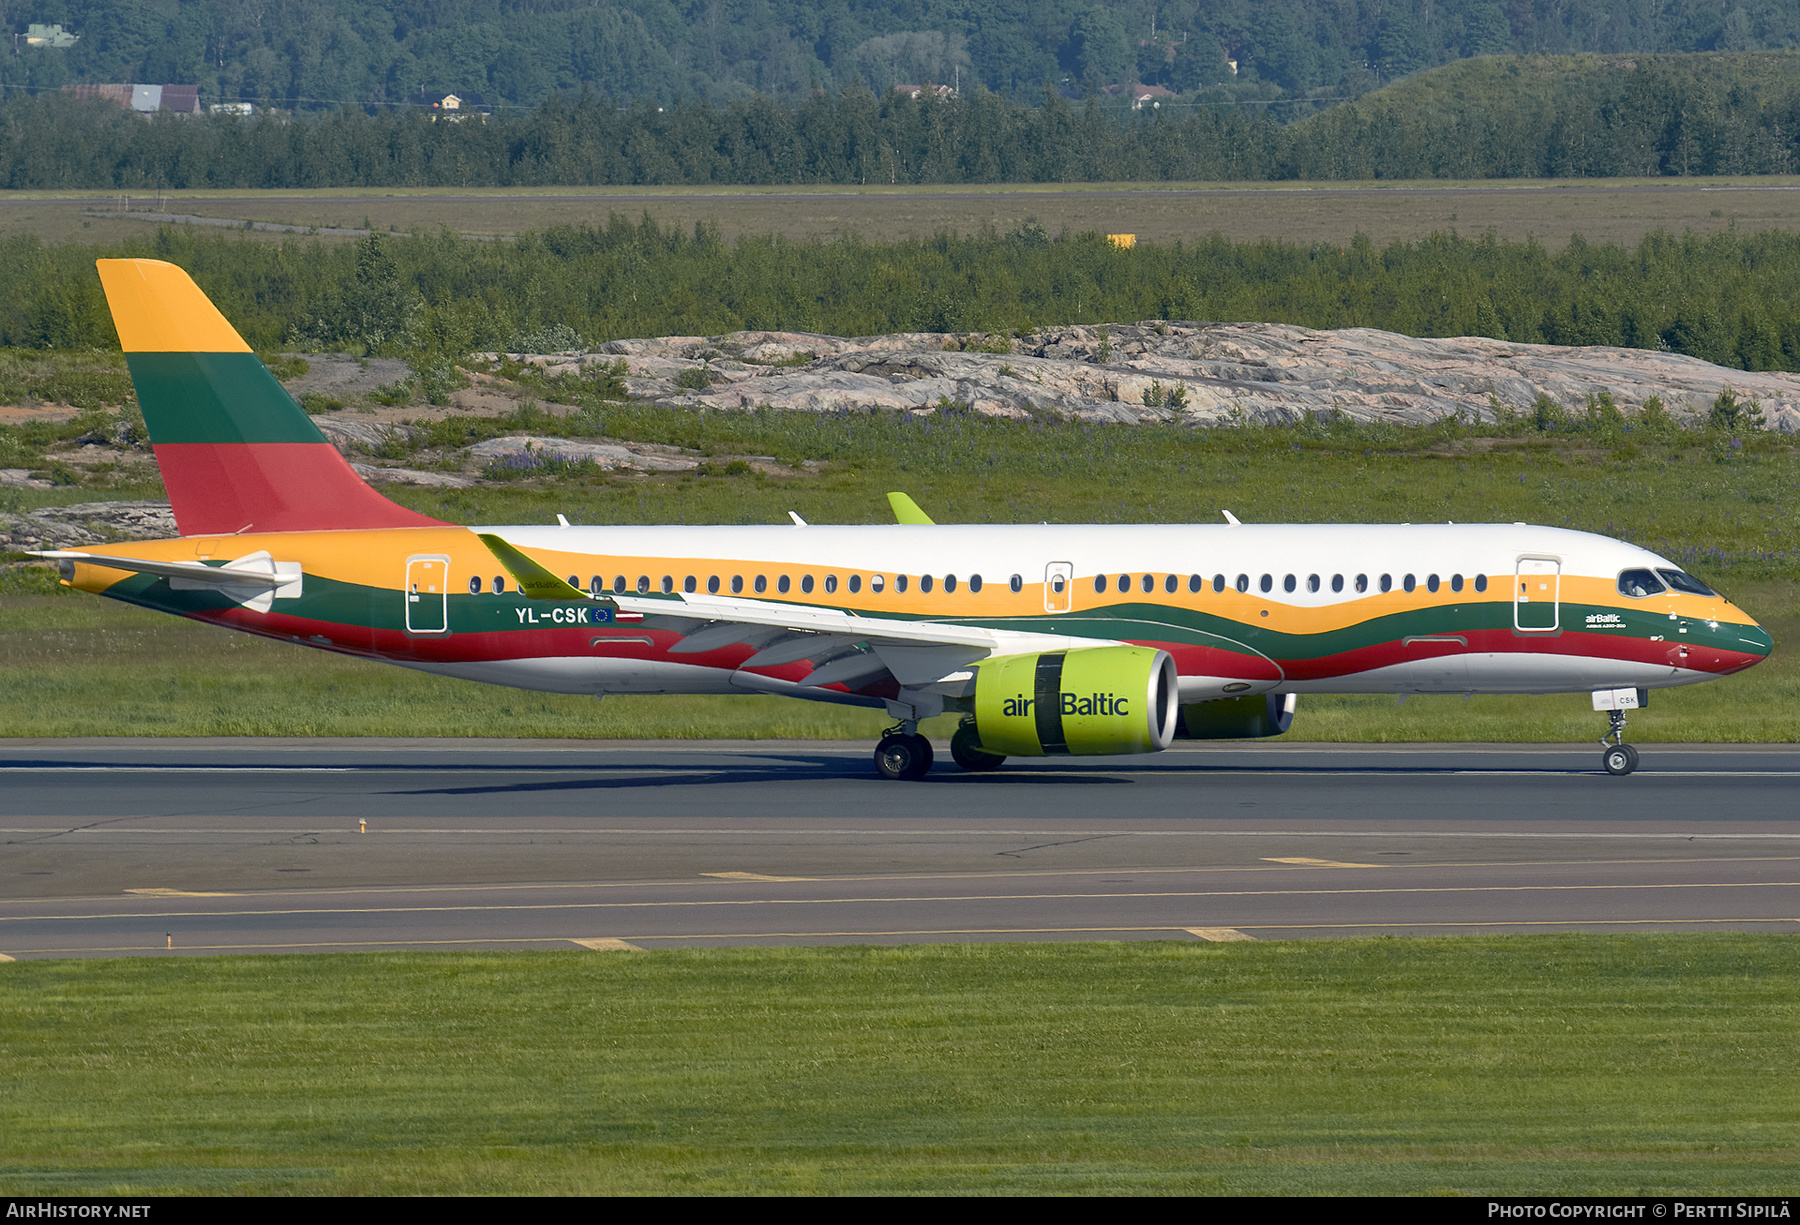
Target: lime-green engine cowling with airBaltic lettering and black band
{"x":1083,"y":702}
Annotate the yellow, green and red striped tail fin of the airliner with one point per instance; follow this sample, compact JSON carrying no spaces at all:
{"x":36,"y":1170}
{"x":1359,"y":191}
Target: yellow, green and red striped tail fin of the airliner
{"x":237,"y":452}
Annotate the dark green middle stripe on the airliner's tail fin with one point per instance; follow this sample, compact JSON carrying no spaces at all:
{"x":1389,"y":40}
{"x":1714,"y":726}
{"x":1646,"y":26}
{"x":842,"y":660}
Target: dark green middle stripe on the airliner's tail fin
{"x":217,"y":398}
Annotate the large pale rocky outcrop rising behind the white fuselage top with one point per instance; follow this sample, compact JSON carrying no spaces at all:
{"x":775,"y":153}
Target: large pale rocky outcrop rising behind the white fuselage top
{"x":1200,"y":375}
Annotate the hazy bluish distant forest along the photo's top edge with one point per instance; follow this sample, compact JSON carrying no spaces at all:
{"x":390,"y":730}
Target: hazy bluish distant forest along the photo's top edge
{"x":323,"y":55}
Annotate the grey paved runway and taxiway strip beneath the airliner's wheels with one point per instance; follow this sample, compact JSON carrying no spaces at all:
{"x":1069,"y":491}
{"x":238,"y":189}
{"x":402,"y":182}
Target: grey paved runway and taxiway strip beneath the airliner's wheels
{"x":177,"y":848}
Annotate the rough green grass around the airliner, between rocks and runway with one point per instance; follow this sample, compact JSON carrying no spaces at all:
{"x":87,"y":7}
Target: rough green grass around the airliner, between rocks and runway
{"x":82,"y":666}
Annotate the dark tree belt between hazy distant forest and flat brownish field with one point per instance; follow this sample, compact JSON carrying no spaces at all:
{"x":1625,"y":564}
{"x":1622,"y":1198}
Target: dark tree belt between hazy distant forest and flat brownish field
{"x":1493,"y":118}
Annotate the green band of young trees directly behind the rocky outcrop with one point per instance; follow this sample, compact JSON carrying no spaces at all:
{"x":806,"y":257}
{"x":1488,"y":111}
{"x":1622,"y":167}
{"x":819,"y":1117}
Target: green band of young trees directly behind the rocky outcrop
{"x":1723,"y":298}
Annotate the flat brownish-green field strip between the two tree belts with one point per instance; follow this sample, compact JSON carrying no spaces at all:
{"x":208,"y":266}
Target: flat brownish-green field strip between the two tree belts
{"x":1603,"y":211}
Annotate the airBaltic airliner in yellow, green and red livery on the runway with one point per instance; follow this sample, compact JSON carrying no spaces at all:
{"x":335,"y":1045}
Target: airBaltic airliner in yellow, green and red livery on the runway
{"x":1045,"y":639}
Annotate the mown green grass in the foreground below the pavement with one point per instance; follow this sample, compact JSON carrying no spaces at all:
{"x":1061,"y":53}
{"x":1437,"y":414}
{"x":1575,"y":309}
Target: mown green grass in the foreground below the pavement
{"x":1493,"y":1066}
